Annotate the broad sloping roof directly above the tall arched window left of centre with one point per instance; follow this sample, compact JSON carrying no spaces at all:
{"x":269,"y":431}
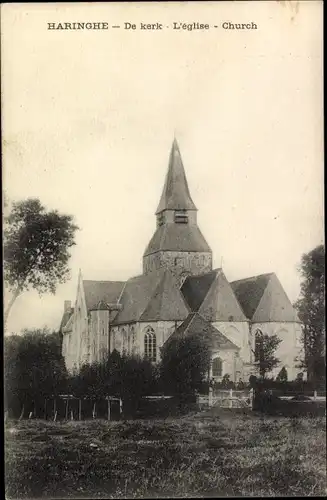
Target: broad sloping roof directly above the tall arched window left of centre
{"x":152,"y":297}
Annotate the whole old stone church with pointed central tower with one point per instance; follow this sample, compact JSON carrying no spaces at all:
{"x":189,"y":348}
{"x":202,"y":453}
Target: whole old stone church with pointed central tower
{"x":179,"y":293}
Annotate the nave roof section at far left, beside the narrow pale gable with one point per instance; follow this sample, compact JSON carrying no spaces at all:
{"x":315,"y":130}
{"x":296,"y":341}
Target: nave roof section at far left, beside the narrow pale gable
{"x":99,"y":292}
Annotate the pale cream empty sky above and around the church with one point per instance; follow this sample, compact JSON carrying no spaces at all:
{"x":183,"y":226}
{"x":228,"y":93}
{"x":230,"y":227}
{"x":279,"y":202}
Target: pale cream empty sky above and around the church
{"x":89,"y":118}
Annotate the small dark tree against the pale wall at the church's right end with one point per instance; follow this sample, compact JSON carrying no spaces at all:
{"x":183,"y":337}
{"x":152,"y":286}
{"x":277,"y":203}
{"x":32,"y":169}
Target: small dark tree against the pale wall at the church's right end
{"x":265,"y":348}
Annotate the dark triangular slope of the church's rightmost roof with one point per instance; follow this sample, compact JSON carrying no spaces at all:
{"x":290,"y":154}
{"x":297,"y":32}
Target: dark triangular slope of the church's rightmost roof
{"x":249,"y":292}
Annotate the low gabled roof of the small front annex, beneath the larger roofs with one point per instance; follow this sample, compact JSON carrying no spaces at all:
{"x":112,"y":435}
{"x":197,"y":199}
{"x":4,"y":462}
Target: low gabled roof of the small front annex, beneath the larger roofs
{"x":196,"y":325}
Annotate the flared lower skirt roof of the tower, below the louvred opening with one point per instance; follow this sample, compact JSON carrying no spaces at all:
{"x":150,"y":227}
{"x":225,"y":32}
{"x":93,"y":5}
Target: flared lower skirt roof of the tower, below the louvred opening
{"x":177,"y":238}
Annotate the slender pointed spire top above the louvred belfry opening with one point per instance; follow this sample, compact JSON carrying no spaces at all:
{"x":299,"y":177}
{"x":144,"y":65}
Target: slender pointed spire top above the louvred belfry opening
{"x":176,"y":194}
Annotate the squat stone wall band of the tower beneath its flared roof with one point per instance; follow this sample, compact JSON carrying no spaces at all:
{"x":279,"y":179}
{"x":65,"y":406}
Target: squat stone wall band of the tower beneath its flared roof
{"x":179,"y":262}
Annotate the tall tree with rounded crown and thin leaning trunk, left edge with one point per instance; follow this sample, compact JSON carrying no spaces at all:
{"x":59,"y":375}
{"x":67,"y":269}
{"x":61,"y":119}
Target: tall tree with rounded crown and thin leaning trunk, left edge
{"x":36,"y":248}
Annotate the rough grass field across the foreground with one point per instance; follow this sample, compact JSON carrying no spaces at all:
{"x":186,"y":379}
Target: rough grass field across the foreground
{"x":198,"y":456}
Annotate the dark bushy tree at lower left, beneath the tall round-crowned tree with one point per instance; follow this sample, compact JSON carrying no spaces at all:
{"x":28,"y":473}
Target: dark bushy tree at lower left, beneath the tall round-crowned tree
{"x":34,"y":366}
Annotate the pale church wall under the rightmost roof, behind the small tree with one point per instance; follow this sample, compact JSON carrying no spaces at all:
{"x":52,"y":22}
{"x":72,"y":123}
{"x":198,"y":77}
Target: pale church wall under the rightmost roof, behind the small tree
{"x":289,"y":349}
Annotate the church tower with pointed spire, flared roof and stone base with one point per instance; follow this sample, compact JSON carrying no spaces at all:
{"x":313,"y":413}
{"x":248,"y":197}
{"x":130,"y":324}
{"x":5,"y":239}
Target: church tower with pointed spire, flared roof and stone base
{"x":177,"y":243}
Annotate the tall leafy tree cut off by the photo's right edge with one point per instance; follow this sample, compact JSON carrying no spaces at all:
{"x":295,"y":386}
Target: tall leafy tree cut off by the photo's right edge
{"x":311,"y":310}
